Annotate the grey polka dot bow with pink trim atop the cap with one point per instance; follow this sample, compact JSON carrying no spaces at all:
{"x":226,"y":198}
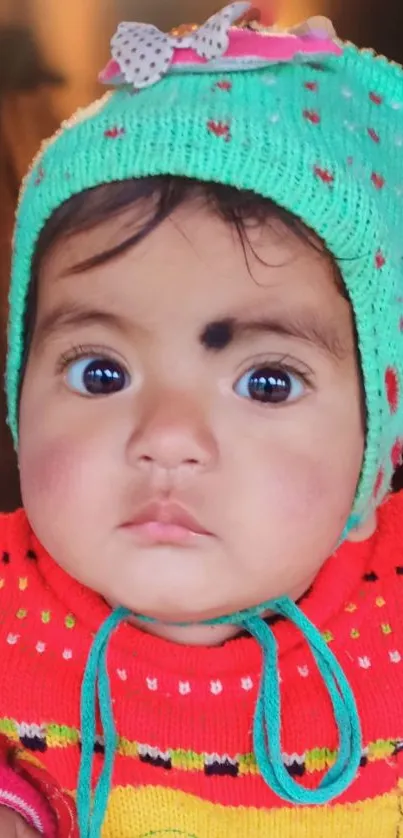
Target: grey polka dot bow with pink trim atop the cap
{"x":142,"y":54}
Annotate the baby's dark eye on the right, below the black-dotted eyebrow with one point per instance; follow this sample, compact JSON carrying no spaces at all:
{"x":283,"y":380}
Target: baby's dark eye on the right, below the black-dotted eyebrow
{"x":270,"y":385}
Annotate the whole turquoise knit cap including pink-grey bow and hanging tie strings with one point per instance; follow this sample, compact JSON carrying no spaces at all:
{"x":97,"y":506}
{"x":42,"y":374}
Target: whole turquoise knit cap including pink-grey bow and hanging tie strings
{"x":316,"y":126}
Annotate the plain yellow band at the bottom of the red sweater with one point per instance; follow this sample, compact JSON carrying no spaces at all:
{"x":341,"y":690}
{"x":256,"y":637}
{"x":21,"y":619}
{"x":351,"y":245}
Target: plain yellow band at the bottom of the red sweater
{"x":155,"y":812}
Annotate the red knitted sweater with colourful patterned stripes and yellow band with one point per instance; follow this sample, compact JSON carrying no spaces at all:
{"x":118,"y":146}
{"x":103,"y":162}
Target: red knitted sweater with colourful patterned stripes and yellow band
{"x":184,"y":715}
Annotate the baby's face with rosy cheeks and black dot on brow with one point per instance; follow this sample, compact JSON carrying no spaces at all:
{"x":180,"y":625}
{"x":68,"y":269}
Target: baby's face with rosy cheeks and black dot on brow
{"x":170,"y":377}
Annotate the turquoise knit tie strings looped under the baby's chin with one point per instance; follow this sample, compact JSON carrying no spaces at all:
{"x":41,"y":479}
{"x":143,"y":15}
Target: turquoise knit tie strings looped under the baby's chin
{"x":267,"y":722}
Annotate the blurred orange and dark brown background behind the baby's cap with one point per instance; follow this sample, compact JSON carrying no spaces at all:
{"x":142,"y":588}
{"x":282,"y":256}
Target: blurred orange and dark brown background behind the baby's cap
{"x":50,"y":55}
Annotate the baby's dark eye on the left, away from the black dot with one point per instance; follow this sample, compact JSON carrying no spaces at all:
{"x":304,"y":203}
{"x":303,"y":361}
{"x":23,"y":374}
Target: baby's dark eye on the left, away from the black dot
{"x":96,"y":376}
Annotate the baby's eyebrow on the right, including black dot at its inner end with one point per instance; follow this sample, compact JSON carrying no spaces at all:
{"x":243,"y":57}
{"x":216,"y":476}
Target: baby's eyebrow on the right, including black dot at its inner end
{"x":306,"y":327}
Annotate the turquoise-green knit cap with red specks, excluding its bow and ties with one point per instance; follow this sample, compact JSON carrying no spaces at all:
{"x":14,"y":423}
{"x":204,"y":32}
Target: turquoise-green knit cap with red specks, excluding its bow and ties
{"x":322,"y":140}
